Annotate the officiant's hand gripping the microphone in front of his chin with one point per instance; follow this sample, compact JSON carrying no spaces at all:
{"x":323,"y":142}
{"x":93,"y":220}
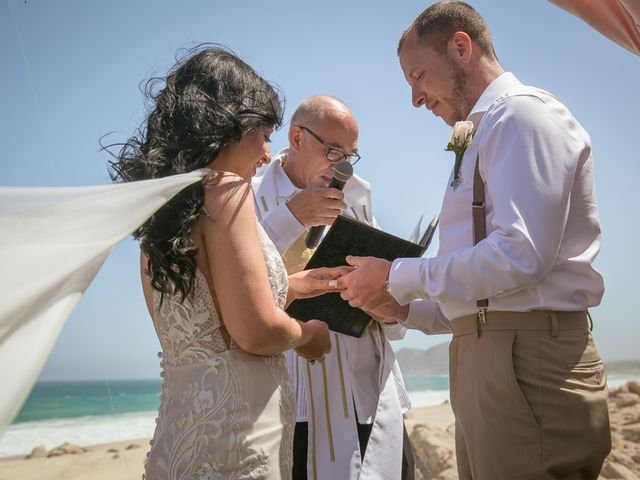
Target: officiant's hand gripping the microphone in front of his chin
{"x":315,"y":206}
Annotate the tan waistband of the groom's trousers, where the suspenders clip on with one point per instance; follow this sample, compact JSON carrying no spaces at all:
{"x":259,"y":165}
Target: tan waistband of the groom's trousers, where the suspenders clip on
{"x":532,"y":320}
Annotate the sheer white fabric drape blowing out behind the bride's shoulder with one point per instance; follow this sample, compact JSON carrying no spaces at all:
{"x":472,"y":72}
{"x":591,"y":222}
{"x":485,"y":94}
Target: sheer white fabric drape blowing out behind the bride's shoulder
{"x":53,"y":241}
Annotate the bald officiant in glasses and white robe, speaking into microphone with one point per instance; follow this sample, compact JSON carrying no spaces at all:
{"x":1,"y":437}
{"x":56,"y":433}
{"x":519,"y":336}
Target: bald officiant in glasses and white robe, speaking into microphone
{"x":350,"y":406}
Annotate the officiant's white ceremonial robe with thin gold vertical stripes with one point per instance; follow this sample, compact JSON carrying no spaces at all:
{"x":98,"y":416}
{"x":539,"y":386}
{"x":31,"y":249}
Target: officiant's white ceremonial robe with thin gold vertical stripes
{"x":359,"y":373}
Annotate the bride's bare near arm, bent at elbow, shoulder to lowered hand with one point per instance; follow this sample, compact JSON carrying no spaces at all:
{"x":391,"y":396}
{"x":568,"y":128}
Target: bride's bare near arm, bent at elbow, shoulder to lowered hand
{"x":239,"y":274}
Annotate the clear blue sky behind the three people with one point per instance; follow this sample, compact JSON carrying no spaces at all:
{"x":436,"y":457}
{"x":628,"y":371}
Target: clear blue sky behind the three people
{"x":71,"y":72}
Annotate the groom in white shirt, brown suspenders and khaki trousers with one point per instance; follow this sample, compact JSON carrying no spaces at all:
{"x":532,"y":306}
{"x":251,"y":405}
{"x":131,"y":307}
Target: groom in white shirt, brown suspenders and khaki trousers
{"x":516,"y":277}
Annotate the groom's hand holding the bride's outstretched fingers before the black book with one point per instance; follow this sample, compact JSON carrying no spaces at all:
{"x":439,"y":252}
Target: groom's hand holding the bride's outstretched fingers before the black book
{"x":364,"y":287}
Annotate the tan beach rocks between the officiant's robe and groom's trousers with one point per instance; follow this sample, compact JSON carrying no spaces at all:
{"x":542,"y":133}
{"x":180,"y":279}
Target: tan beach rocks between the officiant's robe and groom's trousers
{"x":433,"y":453}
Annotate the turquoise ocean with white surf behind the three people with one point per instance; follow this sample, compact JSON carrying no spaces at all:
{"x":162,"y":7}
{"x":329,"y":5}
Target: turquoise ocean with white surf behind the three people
{"x":95,"y":412}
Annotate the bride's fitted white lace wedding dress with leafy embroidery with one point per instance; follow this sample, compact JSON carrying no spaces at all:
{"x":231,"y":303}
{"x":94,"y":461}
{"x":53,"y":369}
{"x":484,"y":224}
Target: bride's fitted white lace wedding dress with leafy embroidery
{"x":224,"y":413}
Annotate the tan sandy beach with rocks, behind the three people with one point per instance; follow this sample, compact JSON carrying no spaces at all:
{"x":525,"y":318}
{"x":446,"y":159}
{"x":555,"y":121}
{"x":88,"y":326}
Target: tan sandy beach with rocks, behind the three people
{"x":430,"y":430}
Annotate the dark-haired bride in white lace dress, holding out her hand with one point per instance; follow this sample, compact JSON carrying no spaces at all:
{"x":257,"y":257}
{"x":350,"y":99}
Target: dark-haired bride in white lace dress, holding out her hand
{"x":214,"y":283}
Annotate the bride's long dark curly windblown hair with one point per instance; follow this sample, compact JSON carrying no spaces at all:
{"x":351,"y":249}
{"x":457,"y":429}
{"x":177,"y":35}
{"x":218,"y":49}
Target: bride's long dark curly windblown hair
{"x":209,"y":99}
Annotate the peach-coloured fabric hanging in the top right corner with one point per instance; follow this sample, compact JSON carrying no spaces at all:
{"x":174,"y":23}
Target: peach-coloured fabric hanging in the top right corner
{"x":617,"y":19}
